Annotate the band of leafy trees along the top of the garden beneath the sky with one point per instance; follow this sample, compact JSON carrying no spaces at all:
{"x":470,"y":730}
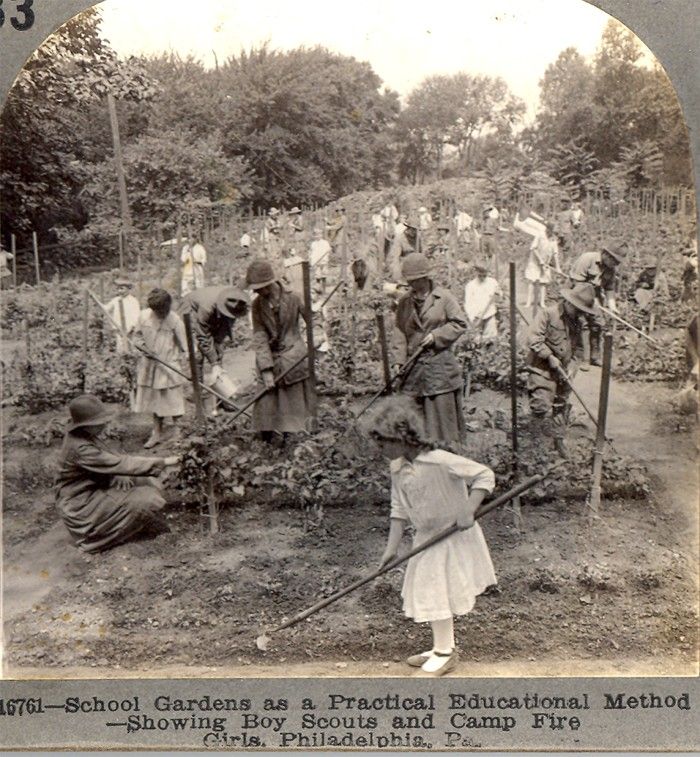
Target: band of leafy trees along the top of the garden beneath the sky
{"x":308,"y":125}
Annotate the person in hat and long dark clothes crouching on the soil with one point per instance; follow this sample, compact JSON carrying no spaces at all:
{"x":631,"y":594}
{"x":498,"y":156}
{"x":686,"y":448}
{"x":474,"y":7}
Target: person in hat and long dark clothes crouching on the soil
{"x":105,"y":498}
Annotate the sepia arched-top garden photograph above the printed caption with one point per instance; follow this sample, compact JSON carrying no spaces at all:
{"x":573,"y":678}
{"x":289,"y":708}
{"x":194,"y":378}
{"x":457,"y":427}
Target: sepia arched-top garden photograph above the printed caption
{"x":347,"y":342}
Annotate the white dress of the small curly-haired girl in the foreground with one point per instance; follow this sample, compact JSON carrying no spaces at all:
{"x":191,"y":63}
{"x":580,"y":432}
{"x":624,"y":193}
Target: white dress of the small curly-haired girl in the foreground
{"x":445,"y":580}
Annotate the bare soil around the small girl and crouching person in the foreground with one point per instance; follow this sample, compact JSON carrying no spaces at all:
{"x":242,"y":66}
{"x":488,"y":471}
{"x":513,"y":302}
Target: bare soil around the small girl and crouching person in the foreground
{"x":618,"y":596}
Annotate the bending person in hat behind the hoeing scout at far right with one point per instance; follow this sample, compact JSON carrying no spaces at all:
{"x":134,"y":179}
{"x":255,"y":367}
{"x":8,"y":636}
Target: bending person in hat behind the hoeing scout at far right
{"x":598,"y":269}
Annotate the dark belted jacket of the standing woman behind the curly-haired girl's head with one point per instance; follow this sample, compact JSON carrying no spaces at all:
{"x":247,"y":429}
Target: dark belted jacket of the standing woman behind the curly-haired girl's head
{"x":437,"y":370}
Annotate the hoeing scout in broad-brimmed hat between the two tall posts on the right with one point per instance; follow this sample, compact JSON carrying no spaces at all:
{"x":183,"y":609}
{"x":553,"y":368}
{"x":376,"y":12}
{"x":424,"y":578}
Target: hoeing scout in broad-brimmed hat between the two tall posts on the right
{"x":551,"y":340}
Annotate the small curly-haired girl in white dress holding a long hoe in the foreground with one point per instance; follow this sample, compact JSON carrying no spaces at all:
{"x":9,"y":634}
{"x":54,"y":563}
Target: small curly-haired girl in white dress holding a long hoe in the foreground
{"x":431,"y":489}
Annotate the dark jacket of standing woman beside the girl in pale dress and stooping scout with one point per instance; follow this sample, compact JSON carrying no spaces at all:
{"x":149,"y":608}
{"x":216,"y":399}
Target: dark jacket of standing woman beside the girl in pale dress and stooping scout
{"x":276,"y":337}
